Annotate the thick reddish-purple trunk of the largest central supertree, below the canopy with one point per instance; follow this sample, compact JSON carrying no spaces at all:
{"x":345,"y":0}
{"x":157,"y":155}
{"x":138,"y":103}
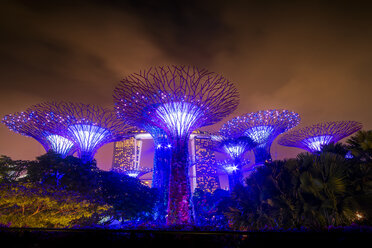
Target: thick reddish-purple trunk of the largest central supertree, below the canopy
{"x":179,"y":209}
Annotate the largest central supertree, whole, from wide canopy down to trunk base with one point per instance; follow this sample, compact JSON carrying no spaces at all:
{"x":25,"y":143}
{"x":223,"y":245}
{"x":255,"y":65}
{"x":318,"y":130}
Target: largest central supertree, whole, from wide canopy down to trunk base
{"x":176,"y":99}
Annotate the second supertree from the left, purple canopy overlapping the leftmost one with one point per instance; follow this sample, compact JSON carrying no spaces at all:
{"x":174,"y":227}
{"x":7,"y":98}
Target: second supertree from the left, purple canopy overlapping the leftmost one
{"x":88,"y":126}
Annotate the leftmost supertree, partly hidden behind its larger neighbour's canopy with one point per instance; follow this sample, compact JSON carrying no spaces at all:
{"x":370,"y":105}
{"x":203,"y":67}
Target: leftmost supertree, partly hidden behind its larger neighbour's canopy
{"x":29,"y":123}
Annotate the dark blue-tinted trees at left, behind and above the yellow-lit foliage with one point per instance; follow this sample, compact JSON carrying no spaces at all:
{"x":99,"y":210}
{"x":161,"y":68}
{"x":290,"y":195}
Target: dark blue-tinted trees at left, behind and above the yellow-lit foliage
{"x":126,"y":196}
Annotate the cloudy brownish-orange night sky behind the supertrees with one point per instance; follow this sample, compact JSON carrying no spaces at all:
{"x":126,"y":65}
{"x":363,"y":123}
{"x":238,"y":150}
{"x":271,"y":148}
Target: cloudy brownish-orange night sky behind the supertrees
{"x":313,"y":57}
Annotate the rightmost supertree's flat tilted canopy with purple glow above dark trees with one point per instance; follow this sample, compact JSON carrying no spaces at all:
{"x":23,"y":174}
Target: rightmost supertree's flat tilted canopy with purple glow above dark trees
{"x":312,"y":138}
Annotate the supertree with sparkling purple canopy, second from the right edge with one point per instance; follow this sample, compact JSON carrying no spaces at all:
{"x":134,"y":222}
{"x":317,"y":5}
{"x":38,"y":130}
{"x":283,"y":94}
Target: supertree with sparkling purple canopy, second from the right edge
{"x":262,"y":127}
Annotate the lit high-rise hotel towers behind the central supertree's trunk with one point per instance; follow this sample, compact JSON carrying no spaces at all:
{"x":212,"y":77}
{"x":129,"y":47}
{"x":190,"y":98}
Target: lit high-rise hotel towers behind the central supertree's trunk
{"x":127,"y":154}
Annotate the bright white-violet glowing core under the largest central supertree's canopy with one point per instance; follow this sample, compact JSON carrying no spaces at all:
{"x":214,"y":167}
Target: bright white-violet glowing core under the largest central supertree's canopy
{"x":179,"y":117}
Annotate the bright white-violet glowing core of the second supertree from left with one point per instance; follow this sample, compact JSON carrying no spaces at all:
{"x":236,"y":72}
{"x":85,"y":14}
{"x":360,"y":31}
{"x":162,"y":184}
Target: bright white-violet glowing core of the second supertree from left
{"x":89,"y":137}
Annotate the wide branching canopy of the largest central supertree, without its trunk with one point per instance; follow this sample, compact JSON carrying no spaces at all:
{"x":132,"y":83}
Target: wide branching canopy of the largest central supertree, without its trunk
{"x":177,"y":99}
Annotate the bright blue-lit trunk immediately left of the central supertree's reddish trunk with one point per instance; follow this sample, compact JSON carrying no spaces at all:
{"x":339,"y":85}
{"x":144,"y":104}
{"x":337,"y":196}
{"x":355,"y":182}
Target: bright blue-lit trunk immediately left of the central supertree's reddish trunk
{"x":160,"y":181}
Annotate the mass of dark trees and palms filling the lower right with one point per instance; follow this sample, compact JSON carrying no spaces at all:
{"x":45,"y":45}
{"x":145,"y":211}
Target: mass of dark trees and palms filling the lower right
{"x":313,"y":191}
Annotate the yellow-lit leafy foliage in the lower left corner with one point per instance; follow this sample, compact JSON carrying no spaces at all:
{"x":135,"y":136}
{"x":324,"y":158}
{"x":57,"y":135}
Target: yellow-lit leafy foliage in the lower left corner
{"x":32,"y":205}
